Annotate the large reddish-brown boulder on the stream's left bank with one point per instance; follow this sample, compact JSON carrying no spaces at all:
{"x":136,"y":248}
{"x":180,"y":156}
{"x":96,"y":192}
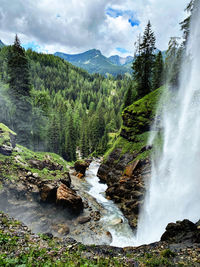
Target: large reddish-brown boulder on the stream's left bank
{"x":68,"y":198}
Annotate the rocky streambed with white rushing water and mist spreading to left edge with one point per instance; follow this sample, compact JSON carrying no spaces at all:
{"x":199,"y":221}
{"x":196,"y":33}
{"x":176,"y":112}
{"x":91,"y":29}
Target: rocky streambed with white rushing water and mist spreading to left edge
{"x":111,"y":229}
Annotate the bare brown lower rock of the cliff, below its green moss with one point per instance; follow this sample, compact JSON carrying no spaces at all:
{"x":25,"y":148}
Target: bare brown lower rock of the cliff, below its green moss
{"x":125,"y":182}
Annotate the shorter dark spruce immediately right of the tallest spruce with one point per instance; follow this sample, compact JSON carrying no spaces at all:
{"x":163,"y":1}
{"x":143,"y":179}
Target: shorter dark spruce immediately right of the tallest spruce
{"x":157,"y":73}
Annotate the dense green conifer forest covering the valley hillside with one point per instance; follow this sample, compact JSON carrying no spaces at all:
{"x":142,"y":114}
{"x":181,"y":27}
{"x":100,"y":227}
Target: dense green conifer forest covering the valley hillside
{"x":68,"y":108}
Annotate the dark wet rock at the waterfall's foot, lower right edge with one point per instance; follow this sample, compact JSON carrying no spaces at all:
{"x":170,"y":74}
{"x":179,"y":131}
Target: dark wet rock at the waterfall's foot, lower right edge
{"x":181,"y":231}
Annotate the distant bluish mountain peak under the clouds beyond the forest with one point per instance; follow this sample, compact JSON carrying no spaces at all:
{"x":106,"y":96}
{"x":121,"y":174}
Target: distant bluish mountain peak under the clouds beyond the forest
{"x":94,"y":62}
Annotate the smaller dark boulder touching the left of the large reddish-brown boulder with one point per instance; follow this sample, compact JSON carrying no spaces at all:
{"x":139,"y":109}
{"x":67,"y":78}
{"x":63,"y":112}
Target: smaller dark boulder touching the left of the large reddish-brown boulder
{"x":48,"y":193}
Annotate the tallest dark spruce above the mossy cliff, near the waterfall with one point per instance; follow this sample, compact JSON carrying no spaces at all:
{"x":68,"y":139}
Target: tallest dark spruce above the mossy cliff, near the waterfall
{"x":142,"y":66}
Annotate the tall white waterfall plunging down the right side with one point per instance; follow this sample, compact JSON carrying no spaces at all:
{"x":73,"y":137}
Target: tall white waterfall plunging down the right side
{"x":174,"y":190}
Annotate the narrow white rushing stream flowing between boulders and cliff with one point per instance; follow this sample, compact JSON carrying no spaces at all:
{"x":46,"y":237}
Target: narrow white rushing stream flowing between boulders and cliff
{"x":112,"y":217}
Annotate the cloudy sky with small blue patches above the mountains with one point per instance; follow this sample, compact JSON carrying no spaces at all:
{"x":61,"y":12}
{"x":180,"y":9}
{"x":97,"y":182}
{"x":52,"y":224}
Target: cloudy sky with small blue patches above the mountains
{"x":74,"y":26}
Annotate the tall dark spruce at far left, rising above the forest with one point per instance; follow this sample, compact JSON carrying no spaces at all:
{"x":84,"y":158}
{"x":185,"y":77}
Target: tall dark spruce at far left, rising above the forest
{"x":20,"y":86}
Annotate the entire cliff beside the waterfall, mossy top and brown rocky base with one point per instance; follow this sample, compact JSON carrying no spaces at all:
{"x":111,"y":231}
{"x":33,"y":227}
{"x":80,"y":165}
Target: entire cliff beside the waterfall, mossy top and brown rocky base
{"x":128,"y":165}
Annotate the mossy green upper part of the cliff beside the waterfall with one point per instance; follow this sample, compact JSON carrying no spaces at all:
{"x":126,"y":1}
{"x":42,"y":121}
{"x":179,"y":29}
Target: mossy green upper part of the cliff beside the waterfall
{"x":137,"y":120}
